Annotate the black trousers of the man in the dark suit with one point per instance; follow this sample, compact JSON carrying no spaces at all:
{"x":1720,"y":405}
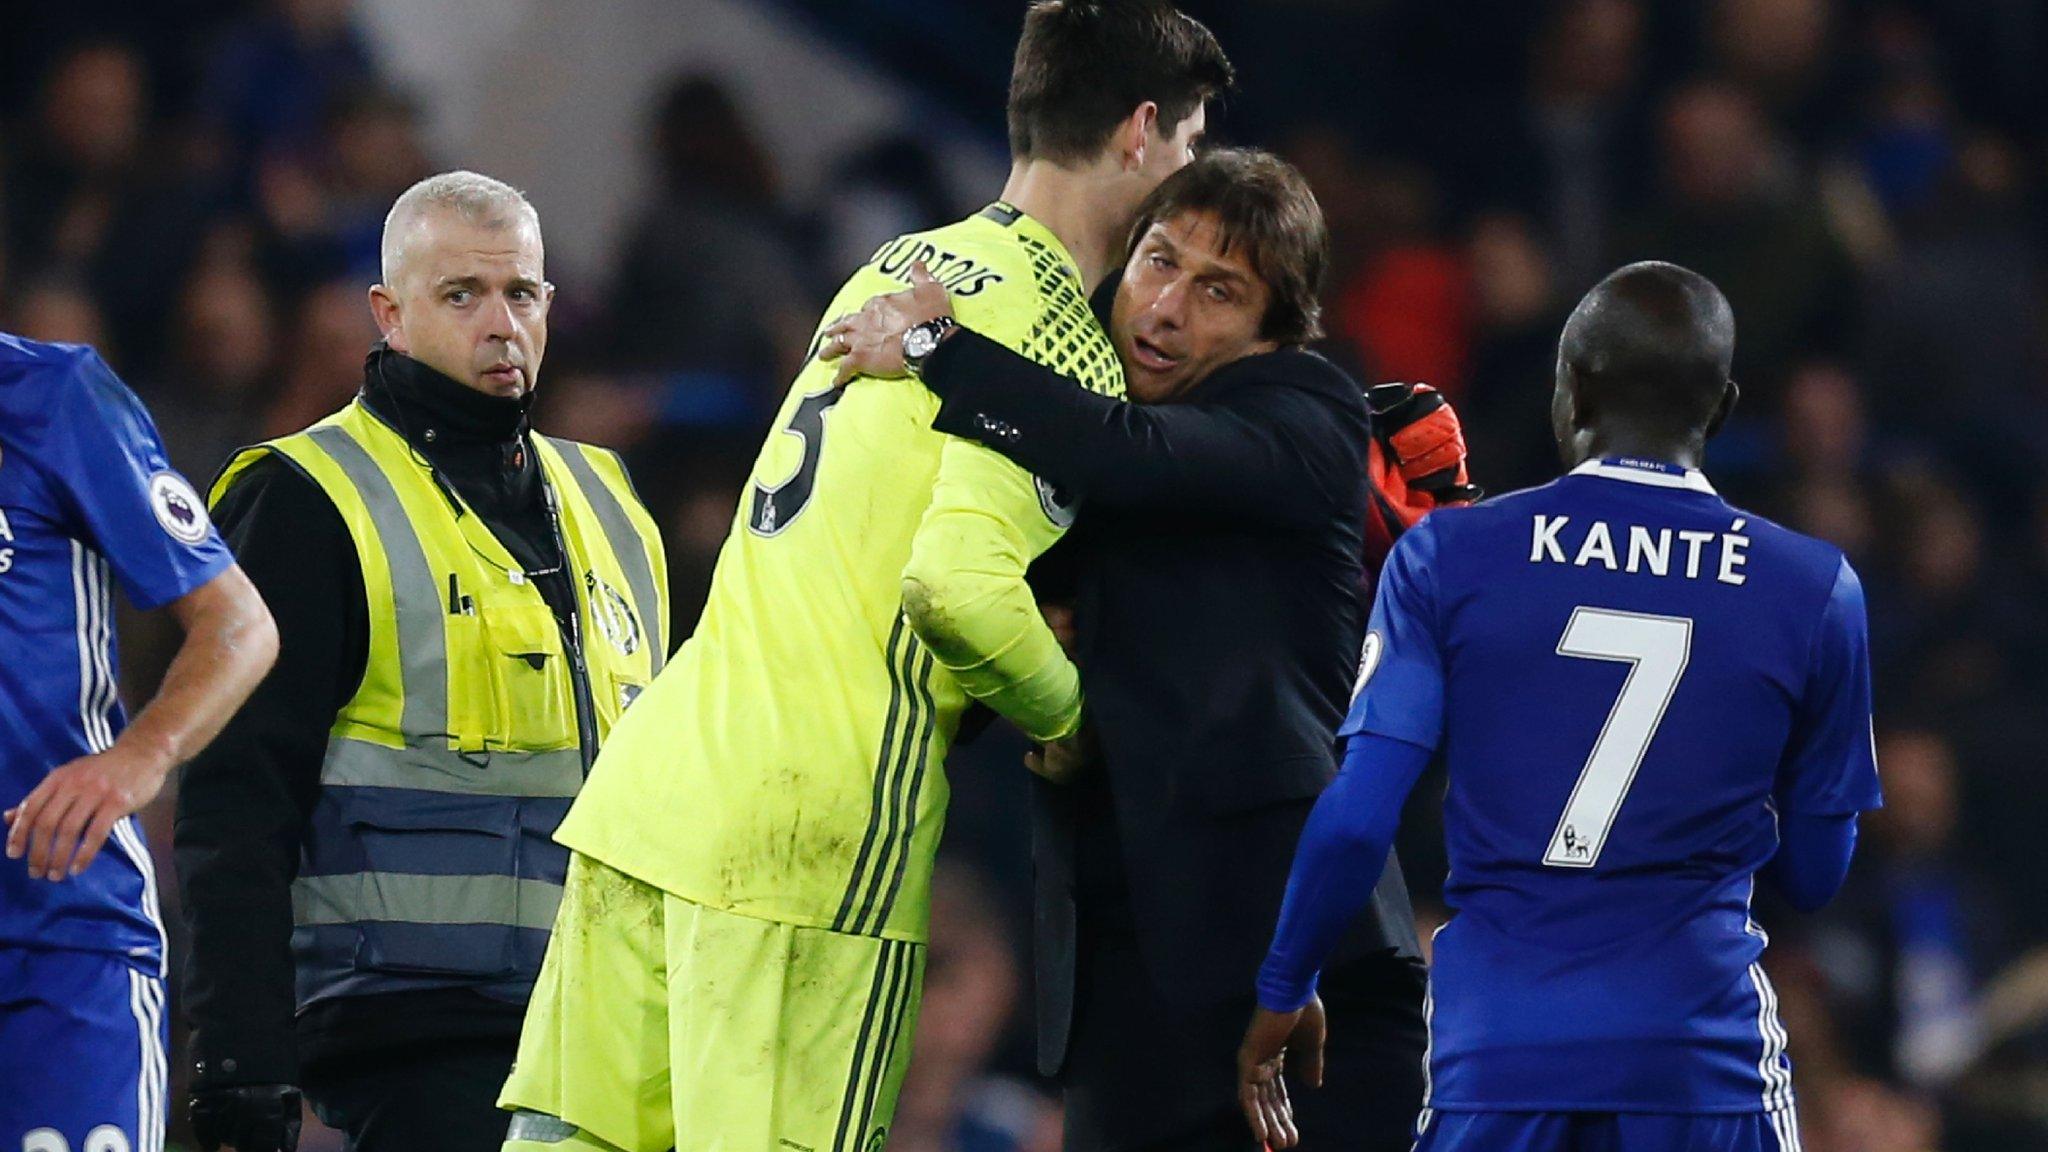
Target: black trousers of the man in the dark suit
{"x":1154,"y":1077}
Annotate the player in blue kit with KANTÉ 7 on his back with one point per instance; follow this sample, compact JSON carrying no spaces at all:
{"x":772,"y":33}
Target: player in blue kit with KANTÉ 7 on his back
{"x":1646,"y":698}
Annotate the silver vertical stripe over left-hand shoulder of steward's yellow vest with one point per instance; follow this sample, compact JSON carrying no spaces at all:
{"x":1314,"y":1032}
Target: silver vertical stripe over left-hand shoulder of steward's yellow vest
{"x":423,"y":649}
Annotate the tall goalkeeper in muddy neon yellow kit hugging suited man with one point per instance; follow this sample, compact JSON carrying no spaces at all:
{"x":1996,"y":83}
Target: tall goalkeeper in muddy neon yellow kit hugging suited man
{"x":740,"y":948}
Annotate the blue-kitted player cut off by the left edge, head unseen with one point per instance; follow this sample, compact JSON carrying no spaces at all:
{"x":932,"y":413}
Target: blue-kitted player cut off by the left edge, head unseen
{"x":89,"y":501}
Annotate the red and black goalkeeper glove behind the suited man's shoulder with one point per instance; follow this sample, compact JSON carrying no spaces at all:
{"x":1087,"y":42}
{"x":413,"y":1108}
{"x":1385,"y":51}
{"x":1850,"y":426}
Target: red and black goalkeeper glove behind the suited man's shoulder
{"x":1416,"y":462}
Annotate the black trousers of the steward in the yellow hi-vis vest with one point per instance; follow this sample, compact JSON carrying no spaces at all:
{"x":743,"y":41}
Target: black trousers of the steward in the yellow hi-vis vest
{"x":425,"y":1100}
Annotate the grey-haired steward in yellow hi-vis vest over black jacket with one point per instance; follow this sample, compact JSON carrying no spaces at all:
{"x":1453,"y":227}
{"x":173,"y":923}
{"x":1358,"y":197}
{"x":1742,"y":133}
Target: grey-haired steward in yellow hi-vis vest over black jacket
{"x":466,"y":610}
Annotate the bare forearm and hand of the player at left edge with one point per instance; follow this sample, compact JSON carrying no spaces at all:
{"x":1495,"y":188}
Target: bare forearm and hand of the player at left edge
{"x":230,"y":645}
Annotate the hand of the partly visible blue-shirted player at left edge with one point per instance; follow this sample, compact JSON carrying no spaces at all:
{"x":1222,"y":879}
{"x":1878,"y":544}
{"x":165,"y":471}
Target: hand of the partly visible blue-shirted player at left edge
{"x":67,"y":821}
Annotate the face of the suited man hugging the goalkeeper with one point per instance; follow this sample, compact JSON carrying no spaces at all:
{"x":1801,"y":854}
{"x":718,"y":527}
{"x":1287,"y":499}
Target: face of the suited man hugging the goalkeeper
{"x":1187,"y":306}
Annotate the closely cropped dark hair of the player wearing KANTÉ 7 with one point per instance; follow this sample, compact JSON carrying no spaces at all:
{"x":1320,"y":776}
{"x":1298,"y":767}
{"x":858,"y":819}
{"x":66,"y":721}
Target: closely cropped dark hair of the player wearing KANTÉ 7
{"x":1654,"y":343}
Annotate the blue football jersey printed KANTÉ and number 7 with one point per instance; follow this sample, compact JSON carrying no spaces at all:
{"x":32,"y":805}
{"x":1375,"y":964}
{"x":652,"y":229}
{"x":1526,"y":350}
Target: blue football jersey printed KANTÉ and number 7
{"x":1629,"y":682}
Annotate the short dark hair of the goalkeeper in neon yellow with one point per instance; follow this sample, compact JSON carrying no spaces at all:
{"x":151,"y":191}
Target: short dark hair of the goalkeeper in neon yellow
{"x":1082,"y":67}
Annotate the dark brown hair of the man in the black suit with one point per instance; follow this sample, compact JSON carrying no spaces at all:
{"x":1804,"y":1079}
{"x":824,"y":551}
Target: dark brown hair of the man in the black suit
{"x":1267,"y":206}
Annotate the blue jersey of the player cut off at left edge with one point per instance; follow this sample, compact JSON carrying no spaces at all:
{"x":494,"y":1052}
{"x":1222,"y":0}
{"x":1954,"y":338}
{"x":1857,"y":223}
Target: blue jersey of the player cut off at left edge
{"x":87,"y":501}
